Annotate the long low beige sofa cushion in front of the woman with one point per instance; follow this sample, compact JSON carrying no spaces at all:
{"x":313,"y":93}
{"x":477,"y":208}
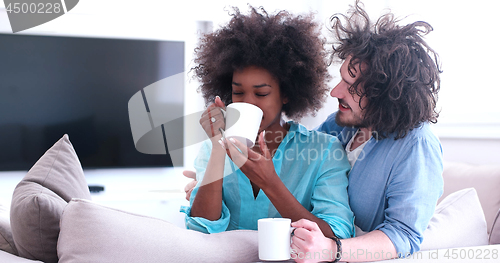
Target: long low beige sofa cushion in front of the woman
{"x":94,"y":233}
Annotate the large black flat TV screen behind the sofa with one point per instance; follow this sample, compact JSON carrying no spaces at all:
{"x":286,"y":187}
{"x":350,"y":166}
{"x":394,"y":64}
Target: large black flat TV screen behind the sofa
{"x":52,"y":85}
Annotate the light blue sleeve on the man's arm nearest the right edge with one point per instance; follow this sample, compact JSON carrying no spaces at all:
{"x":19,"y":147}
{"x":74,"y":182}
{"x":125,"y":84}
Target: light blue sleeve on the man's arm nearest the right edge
{"x":414,"y":186}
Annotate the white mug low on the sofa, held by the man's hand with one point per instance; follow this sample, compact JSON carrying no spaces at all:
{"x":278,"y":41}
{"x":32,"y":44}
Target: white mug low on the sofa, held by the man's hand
{"x":274,"y":238}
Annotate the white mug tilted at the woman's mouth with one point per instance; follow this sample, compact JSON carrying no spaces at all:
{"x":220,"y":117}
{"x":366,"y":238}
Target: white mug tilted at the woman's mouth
{"x":243,"y":122}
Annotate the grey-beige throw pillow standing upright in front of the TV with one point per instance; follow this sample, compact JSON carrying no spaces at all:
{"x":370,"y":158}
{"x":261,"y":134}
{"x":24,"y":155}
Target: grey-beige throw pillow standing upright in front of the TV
{"x":40,"y":197}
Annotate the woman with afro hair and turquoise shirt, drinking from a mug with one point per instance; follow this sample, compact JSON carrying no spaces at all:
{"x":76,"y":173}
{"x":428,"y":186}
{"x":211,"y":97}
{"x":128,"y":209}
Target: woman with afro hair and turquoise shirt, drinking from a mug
{"x":276,"y":62}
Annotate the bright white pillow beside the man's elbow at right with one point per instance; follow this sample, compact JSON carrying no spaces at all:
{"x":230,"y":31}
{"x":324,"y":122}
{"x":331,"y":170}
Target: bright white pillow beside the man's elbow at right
{"x":458,"y":221}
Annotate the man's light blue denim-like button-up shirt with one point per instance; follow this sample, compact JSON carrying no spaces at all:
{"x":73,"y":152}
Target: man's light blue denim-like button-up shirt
{"x":394,"y":184}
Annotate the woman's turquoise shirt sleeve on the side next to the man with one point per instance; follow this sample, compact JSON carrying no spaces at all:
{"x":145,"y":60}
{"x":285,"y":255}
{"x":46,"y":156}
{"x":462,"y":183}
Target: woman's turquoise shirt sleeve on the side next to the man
{"x":330,"y":200}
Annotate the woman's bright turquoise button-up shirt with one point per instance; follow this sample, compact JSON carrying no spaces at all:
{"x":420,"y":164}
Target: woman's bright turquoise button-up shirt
{"x":312,"y":165}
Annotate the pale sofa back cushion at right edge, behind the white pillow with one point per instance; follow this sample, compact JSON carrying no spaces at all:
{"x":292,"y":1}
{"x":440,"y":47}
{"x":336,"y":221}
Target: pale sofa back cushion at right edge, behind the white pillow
{"x":484,"y":178}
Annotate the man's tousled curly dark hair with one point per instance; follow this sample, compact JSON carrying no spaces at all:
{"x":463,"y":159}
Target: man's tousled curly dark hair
{"x":401,"y":81}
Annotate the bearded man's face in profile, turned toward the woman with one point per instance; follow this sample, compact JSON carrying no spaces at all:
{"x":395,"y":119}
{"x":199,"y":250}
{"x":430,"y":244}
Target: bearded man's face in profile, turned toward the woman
{"x":350,"y":112}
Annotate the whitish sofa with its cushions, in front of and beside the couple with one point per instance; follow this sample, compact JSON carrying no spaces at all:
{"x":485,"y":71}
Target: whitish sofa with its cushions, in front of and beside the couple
{"x":43,"y":227}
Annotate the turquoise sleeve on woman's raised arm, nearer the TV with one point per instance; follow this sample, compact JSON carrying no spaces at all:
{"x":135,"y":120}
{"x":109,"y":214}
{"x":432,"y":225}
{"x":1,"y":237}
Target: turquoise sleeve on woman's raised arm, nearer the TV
{"x":199,"y":223}
